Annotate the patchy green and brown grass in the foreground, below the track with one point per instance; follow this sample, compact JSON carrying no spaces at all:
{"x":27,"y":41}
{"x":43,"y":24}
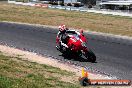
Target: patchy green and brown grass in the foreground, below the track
{"x":18,"y":73}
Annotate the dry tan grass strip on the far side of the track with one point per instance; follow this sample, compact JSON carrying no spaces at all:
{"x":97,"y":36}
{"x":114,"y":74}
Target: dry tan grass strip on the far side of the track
{"x":89,"y":21}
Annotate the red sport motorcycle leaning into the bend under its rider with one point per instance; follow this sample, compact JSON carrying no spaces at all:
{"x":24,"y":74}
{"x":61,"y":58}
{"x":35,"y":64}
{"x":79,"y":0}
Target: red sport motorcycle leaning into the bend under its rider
{"x":77,"y":47}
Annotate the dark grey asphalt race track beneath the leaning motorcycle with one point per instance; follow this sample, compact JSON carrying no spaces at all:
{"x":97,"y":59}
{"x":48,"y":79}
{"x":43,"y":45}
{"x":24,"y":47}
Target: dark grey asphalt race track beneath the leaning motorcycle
{"x":114,"y":58}
